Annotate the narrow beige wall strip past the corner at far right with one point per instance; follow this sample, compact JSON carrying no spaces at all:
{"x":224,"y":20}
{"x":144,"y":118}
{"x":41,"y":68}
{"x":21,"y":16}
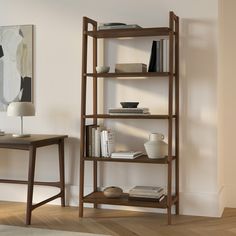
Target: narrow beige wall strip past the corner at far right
{"x":227,"y":111}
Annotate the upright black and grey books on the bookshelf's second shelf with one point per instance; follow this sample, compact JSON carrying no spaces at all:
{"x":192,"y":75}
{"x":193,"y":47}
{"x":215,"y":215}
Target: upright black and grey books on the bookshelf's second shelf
{"x":159,"y":59}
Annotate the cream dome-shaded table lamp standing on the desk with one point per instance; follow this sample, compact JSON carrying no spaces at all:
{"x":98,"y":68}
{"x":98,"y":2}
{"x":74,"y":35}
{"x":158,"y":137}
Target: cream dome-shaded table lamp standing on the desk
{"x":21,"y":109}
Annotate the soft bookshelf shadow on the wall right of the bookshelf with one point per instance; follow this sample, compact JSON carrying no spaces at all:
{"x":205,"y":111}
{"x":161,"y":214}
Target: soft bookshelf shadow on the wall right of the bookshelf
{"x":198,"y":89}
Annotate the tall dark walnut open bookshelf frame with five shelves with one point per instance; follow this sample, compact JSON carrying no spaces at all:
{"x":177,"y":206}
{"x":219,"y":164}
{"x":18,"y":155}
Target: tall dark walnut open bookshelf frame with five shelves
{"x":172,"y":117}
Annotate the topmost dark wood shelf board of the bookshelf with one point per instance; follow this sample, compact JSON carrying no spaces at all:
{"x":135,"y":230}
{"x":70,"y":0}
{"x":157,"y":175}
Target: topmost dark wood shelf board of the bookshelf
{"x":123,"y":33}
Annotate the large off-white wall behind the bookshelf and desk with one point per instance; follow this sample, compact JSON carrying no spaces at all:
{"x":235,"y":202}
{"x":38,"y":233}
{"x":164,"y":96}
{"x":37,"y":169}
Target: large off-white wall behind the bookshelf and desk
{"x":57,"y":94}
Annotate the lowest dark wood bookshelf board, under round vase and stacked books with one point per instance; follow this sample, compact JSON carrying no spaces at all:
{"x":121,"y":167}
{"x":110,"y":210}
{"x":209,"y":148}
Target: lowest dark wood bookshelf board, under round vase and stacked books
{"x":99,"y":198}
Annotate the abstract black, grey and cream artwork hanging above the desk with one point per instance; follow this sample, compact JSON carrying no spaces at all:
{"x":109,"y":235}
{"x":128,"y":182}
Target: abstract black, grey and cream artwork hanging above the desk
{"x":16,"y":64}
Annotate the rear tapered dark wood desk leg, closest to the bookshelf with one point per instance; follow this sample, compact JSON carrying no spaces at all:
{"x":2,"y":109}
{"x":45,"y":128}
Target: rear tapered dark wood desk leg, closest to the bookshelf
{"x":61,"y":169}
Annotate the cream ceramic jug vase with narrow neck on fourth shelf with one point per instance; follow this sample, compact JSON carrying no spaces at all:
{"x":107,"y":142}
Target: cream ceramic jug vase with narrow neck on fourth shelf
{"x":156,"y":147}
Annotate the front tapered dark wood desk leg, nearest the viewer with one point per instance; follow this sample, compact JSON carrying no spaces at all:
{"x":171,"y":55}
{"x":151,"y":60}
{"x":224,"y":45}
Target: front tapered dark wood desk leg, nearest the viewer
{"x":31,"y":172}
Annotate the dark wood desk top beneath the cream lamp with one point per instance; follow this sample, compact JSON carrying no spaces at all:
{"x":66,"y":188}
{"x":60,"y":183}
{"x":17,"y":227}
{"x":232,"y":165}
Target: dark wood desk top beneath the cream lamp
{"x":34,"y":139}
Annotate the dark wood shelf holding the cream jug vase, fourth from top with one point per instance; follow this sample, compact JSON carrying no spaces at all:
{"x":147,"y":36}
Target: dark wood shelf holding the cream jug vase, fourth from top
{"x":141,"y":159}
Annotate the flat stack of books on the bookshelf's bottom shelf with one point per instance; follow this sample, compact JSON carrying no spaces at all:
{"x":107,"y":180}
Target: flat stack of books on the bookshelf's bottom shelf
{"x":147,"y":193}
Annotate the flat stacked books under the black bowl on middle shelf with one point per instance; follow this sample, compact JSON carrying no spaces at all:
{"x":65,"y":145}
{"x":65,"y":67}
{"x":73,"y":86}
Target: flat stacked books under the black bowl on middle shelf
{"x":128,"y":111}
